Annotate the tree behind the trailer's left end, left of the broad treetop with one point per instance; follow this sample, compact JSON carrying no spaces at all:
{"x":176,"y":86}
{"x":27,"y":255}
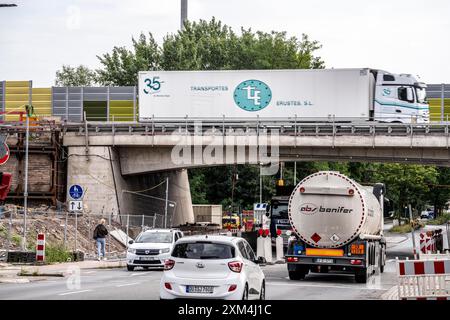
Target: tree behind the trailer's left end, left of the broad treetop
{"x":121,"y":66}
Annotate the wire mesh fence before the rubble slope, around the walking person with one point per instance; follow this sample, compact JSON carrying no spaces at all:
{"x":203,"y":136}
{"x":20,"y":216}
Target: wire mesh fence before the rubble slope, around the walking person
{"x":72,"y":232}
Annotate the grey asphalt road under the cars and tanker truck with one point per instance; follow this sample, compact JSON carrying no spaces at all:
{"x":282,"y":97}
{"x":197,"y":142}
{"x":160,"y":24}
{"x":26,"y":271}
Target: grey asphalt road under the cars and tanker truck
{"x":119,"y":284}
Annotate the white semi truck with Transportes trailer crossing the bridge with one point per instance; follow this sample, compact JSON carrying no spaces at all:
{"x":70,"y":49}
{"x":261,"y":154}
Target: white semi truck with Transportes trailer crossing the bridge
{"x":309,"y":95}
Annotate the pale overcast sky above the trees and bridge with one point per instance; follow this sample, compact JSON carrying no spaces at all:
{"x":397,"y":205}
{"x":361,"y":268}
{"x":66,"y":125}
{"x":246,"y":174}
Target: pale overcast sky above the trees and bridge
{"x":400,"y":36}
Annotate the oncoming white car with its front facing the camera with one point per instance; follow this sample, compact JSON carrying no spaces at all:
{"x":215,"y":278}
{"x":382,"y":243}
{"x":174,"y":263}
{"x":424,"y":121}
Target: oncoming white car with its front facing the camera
{"x":151,"y":248}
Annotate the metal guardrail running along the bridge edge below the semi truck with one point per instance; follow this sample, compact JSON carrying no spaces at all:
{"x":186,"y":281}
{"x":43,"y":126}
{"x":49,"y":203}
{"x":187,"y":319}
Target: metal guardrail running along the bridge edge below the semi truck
{"x":285,"y":126}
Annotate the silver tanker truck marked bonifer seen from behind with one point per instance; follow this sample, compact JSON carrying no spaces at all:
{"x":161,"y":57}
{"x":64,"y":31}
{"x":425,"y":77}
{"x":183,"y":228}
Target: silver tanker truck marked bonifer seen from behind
{"x":337,"y":225}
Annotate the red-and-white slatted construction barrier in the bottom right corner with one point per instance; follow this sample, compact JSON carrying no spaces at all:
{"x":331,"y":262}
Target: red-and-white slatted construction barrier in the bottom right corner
{"x":423,"y":280}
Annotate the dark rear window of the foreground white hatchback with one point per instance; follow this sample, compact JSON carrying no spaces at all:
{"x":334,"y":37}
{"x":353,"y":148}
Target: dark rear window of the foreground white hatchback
{"x":203,"y":250}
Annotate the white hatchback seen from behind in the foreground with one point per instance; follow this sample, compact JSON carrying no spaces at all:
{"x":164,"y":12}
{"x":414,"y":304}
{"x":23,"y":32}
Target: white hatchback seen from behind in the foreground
{"x":213,"y":267}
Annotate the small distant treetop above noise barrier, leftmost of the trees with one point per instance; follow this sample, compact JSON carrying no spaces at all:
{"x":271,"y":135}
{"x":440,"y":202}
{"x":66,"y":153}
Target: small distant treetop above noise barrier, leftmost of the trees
{"x":71,"y":76}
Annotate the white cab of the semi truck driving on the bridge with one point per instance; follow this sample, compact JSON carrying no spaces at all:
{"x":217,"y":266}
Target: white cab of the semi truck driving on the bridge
{"x":399,"y":98}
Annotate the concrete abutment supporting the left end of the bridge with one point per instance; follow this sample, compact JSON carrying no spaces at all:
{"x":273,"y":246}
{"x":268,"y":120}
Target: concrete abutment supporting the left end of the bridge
{"x":108,"y":190}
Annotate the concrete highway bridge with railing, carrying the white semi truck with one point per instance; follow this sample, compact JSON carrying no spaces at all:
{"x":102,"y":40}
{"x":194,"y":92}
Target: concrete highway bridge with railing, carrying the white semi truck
{"x":119,"y":162}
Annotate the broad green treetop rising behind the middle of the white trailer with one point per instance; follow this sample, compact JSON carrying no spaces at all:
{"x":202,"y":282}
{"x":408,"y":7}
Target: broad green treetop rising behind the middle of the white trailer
{"x":211,"y":45}
